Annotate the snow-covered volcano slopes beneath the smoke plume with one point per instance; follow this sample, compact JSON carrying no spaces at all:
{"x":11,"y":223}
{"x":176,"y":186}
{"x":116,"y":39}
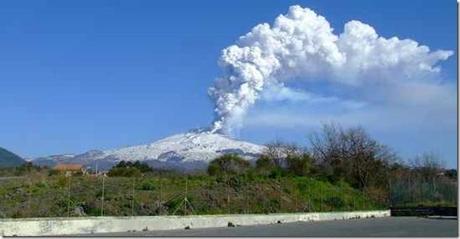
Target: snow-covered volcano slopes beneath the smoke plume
{"x":188,"y":151}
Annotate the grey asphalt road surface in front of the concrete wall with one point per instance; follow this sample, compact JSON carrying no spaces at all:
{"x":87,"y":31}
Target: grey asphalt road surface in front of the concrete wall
{"x":372,"y":227}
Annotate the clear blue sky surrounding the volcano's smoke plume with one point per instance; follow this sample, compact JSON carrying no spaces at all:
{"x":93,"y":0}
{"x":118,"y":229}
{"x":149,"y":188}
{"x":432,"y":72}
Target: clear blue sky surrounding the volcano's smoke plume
{"x":80,"y":75}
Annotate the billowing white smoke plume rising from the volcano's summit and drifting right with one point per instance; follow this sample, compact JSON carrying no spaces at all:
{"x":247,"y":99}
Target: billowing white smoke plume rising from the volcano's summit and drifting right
{"x":301,"y":46}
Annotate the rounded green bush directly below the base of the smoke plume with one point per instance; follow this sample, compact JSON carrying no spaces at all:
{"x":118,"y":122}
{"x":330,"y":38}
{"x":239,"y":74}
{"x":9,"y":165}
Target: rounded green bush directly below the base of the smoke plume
{"x":228,"y":164}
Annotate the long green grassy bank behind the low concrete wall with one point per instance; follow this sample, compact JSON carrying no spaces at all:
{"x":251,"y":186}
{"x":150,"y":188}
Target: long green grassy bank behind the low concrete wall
{"x":42,"y":196}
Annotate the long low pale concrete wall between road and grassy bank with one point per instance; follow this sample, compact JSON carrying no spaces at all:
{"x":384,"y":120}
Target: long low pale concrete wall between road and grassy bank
{"x":88,"y":225}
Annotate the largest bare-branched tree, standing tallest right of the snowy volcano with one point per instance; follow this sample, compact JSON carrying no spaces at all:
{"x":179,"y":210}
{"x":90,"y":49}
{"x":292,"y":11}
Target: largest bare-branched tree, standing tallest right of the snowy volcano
{"x":352,"y":155}
